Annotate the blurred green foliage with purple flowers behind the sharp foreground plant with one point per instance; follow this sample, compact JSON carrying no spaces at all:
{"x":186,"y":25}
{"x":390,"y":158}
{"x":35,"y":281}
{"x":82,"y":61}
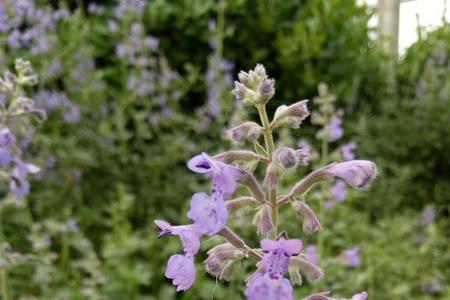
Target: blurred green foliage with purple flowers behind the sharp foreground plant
{"x":133,"y":90}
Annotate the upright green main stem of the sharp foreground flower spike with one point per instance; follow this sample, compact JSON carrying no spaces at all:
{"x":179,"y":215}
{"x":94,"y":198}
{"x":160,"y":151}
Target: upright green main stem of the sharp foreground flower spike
{"x":268,"y":139}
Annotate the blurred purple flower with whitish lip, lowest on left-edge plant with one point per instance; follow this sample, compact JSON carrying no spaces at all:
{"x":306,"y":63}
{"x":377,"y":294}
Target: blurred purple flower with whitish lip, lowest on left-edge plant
{"x":19,"y":184}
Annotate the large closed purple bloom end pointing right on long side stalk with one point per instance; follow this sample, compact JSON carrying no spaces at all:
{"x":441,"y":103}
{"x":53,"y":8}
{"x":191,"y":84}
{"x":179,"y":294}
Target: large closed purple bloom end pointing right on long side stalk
{"x":357,"y":173}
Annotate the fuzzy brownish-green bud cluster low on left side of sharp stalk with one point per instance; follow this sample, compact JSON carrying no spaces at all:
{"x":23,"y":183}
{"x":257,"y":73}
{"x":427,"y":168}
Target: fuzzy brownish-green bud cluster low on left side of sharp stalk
{"x":223,"y":261}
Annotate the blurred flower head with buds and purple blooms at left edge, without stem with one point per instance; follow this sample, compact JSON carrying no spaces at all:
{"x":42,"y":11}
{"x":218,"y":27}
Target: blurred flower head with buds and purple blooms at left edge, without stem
{"x":14,"y":110}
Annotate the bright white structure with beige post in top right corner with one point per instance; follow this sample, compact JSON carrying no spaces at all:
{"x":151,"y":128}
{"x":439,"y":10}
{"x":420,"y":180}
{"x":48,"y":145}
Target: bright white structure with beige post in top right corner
{"x":428,"y":14}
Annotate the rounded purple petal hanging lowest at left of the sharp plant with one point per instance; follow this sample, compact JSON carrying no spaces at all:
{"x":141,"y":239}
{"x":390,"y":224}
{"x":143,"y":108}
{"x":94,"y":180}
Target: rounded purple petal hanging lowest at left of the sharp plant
{"x":181,"y":270}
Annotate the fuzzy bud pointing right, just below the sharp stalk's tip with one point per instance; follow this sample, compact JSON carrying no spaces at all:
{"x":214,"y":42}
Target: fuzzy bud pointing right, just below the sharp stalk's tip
{"x":290,"y":116}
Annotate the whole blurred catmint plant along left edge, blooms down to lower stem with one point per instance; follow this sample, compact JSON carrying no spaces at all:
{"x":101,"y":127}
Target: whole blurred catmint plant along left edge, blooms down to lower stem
{"x":15,"y":112}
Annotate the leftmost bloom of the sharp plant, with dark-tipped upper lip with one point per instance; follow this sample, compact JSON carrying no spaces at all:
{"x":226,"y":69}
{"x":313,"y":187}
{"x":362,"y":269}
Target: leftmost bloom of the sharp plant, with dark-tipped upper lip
{"x":189,"y":235}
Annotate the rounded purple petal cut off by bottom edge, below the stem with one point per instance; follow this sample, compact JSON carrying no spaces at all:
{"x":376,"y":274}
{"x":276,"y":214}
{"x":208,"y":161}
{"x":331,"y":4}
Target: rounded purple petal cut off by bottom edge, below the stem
{"x":262,"y":287}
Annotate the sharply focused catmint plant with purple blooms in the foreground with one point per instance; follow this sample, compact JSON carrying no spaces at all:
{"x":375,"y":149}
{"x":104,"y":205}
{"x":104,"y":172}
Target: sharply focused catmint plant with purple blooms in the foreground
{"x":279,"y":264}
